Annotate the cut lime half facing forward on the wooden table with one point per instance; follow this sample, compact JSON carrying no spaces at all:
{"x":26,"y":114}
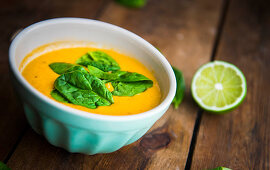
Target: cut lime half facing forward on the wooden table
{"x":218,"y":86}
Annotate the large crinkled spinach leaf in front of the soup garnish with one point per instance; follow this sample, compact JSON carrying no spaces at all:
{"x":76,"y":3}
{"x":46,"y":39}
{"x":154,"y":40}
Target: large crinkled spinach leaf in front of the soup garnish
{"x":83,"y":89}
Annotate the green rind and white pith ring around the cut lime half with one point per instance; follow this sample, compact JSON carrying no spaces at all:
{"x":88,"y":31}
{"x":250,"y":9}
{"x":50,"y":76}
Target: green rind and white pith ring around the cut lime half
{"x":227,"y":108}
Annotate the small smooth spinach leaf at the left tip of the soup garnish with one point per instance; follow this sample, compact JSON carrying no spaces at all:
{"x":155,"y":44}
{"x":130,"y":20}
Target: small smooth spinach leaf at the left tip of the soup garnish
{"x":62,"y":68}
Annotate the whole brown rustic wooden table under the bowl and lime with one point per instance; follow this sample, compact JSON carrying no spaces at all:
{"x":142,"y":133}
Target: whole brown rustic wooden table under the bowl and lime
{"x":189,"y":33}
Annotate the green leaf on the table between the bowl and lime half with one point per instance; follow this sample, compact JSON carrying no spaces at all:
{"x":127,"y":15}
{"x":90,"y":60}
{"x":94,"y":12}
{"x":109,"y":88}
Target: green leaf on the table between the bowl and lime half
{"x":180,"y":89}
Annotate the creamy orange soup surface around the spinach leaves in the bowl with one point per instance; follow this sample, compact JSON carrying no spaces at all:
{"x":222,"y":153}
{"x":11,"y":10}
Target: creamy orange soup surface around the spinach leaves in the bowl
{"x":38,"y":73}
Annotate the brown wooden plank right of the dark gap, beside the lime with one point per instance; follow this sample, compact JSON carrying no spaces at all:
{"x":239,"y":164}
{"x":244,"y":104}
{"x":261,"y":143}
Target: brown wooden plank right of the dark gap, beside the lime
{"x":241,"y":139}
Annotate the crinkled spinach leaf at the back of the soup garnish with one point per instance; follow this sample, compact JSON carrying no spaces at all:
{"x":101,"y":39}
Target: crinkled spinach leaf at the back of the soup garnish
{"x":100,"y":60}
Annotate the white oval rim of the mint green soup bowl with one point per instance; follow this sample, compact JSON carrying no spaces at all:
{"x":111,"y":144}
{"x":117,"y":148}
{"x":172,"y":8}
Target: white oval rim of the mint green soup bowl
{"x":69,"y":110}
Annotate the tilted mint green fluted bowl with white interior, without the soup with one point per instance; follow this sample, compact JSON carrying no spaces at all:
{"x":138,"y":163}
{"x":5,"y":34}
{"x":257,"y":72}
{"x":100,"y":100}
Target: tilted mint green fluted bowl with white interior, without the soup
{"x":75,"y":130}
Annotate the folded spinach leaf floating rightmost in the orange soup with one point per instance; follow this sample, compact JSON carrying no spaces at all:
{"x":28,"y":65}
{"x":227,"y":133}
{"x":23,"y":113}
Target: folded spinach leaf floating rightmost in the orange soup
{"x":124,"y":83}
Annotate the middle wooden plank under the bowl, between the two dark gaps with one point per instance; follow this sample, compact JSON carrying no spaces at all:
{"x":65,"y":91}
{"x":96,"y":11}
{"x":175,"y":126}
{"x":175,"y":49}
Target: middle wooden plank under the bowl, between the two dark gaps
{"x":184,"y":31}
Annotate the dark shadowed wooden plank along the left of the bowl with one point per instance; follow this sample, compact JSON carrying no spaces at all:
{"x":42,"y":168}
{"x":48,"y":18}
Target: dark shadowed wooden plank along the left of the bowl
{"x":18,"y":14}
